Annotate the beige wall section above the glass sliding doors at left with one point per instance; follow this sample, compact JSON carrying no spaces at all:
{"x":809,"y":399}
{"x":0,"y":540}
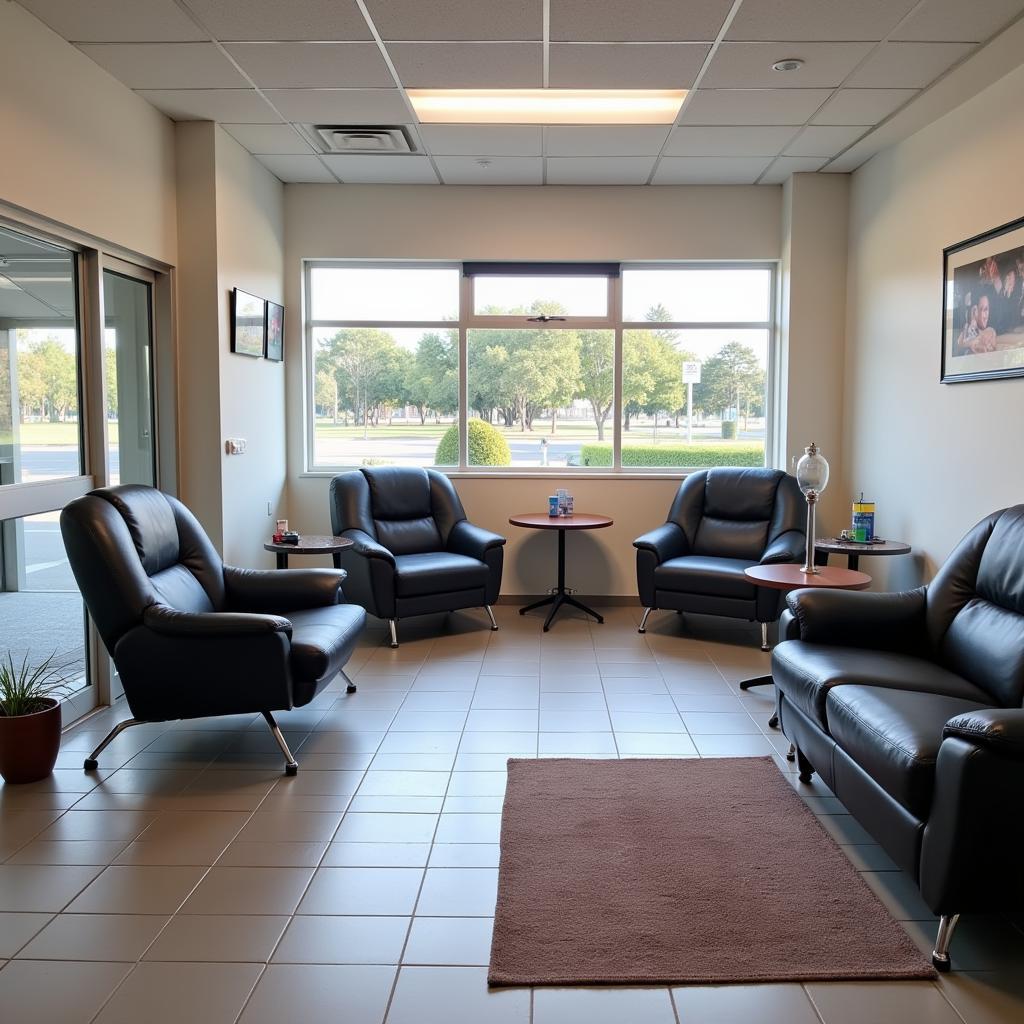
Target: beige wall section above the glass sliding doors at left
{"x":81,"y":149}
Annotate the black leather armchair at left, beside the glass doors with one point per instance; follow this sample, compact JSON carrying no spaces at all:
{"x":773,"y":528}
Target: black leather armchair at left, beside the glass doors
{"x":192,"y":637}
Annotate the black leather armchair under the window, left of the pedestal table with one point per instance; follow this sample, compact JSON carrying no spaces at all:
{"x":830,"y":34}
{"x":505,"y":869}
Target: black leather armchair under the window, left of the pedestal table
{"x":415,"y":551}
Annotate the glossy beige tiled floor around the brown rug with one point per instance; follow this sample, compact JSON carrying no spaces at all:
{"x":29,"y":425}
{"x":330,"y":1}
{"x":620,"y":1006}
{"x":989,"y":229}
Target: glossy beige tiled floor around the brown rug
{"x":190,"y":880}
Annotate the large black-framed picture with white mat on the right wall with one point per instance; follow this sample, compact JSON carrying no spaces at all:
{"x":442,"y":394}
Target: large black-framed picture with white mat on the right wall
{"x":984,"y":307}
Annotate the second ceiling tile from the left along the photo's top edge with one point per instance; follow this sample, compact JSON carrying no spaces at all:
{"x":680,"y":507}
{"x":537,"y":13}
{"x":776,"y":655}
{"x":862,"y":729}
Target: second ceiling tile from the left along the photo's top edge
{"x":250,"y":20}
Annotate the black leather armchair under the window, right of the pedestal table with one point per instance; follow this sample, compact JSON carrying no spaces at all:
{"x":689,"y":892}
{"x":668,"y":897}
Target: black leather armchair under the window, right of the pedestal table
{"x":721,"y":523}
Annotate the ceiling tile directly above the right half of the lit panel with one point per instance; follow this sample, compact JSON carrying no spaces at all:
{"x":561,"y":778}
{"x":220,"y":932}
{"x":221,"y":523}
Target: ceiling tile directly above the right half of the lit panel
{"x":626,"y":66}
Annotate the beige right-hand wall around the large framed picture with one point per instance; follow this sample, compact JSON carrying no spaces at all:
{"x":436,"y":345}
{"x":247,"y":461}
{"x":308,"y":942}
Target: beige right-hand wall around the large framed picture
{"x":936,"y":458}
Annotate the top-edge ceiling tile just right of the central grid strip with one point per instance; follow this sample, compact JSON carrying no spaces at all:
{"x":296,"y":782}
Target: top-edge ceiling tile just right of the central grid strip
{"x":627,"y":21}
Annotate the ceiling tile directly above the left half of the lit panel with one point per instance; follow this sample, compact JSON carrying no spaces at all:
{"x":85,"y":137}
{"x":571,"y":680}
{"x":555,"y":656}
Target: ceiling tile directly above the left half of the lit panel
{"x":470,"y":66}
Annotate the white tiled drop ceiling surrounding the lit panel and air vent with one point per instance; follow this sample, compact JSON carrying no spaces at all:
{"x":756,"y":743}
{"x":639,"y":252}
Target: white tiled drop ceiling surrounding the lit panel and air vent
{"x":269,"y":70}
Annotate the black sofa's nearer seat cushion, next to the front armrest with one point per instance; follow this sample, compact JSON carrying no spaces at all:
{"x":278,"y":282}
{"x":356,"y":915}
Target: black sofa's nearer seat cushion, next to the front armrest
{"x":894,"y":736}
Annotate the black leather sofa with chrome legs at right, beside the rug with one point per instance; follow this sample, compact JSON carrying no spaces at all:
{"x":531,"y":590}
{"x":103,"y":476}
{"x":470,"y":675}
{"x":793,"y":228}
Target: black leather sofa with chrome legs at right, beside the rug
{"x":910,"y":708}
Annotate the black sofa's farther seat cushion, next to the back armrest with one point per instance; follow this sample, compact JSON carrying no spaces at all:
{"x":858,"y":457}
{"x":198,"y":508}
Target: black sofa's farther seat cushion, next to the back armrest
{"x":806,"y":672}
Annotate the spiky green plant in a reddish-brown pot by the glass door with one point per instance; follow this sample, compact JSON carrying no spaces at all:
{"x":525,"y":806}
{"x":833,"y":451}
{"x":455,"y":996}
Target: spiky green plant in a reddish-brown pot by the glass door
{"x":30,"y":719}
